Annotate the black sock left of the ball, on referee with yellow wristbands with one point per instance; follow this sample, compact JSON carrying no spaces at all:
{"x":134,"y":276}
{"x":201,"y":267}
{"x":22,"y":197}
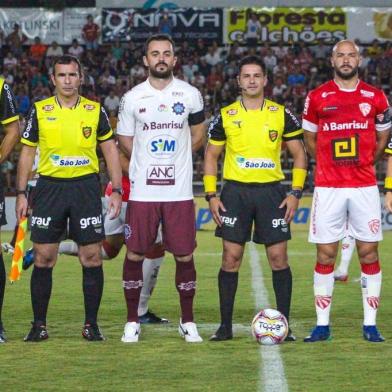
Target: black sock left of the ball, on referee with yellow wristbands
{"x":228,"y":282}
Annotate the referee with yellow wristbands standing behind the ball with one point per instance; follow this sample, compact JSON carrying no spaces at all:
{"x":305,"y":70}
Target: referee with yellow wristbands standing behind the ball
{"x":251,"y":131}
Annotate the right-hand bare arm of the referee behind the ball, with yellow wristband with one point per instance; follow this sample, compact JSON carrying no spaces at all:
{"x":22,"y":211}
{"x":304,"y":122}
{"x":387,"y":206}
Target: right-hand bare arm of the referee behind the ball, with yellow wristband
{"x":297,"y":151}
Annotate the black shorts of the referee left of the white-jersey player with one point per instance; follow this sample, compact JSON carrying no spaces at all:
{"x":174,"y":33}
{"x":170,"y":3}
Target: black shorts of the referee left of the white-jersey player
{"x":76,"y":204}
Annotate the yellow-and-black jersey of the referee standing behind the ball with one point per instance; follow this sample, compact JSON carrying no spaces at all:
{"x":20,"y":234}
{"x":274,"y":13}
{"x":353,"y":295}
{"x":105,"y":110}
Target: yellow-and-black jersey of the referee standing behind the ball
{"x":253,"y":140}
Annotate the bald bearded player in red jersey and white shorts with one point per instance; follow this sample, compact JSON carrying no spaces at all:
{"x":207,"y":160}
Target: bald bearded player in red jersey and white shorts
{"x":346,"y":123}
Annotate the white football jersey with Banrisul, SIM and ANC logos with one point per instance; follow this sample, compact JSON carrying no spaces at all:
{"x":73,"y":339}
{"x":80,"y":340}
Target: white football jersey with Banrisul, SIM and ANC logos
{"x":161,"y":162}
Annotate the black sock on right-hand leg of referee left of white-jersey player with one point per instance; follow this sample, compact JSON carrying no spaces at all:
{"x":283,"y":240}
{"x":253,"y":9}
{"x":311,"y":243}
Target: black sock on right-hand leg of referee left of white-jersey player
{"x":92,"y":291}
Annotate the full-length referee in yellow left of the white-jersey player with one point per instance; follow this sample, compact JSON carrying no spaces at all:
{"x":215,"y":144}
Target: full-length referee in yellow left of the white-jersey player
{"x":66,"y":128}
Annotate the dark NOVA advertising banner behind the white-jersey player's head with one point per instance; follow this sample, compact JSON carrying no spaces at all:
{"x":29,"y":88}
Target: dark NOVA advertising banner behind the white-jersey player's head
{"x":136,"y":24}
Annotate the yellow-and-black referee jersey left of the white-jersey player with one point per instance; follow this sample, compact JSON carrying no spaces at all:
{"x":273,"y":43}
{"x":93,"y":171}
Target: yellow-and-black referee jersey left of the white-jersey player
{"x":67,"y":137}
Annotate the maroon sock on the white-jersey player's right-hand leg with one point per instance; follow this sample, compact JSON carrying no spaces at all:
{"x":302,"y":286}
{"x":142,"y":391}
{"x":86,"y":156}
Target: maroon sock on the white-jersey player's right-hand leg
{"x":186,"y":287}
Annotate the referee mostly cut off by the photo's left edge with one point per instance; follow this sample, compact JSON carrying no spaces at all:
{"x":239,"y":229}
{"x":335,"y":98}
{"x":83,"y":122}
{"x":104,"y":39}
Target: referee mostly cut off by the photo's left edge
{"x":9,"y":119}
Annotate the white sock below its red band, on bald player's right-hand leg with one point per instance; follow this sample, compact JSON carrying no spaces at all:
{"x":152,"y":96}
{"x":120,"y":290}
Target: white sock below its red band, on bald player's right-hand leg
{"x":371,"y":288}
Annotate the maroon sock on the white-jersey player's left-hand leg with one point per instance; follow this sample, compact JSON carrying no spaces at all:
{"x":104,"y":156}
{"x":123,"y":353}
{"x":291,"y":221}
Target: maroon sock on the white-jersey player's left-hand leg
{"x":132,"y":283}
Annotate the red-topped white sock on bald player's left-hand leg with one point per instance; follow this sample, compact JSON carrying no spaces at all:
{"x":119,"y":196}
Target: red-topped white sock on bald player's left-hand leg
{"x":323,"y":289}
